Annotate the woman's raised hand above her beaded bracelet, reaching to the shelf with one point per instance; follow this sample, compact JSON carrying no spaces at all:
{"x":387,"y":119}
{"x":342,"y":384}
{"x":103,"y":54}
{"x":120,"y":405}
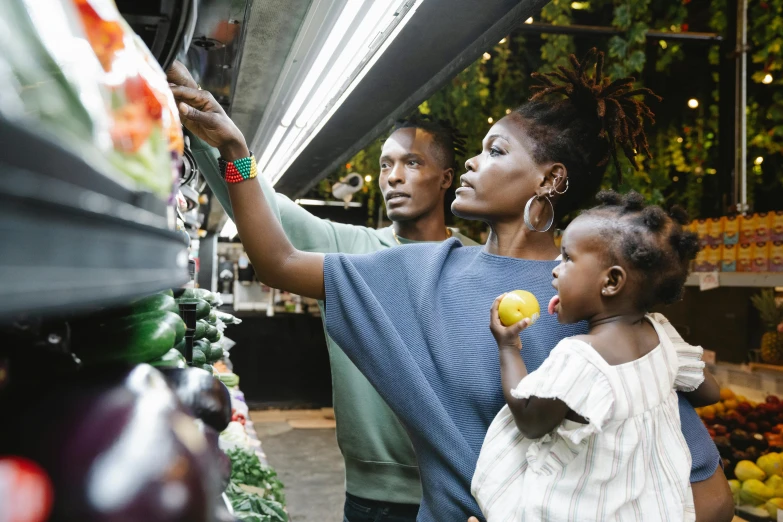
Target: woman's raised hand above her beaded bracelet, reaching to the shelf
{"x":203,"y":116}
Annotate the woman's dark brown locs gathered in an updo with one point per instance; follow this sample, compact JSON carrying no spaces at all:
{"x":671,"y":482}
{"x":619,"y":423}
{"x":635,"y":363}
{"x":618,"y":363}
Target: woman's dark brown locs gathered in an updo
{"x":584,"y":129}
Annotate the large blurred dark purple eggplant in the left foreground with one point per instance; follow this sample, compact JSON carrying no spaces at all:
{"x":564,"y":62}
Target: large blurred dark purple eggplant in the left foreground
{"x":118,"y":445}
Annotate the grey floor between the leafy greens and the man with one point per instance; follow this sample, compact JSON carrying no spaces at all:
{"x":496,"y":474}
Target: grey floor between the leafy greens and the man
{"x":302,"y":447}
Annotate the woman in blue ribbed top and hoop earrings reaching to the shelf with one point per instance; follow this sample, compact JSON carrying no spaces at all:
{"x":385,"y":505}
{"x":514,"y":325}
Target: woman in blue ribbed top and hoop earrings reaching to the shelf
{"x":422,"y":339}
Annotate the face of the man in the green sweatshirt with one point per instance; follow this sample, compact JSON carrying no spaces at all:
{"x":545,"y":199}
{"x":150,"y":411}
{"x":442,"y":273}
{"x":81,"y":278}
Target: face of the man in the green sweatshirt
{"x":413,"y":178}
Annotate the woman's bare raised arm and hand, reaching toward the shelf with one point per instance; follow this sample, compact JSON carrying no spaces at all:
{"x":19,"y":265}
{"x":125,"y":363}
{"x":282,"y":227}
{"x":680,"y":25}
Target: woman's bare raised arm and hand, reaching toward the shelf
{"x":276,"y":262}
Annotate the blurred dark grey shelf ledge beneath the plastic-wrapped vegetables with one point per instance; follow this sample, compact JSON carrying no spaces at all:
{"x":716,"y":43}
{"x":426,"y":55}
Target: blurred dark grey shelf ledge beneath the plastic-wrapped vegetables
{"x":72,"y":237}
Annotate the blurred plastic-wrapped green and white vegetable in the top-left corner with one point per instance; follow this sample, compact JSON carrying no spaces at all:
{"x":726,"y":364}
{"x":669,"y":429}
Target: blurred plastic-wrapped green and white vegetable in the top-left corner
{"x":49,"y":77}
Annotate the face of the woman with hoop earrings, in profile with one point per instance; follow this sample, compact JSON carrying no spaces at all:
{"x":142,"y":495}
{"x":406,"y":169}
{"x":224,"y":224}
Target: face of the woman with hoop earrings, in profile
{"x":501,"y":179}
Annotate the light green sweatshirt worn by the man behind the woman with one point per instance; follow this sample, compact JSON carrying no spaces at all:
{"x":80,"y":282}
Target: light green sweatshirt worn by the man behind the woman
{"x":379,"y":460}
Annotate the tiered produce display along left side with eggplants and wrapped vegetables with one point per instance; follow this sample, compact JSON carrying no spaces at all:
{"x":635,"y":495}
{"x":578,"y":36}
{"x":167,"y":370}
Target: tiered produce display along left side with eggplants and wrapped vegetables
{"x":116,"y":386}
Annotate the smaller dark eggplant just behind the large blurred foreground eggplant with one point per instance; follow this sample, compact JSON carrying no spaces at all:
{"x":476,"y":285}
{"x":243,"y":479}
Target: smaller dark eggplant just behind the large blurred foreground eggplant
{"x":205,"y":396}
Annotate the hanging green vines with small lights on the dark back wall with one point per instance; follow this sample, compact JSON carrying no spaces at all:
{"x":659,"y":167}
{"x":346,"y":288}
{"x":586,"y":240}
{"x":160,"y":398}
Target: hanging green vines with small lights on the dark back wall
{"x":685,"y":152}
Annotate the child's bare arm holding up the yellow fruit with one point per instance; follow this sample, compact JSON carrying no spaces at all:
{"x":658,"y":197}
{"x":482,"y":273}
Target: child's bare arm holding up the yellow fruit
{"x":534,"y":417}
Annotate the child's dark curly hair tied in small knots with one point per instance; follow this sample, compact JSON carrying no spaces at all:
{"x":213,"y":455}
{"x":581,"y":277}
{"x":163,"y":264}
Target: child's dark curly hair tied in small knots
{"x":650,"y":240}
